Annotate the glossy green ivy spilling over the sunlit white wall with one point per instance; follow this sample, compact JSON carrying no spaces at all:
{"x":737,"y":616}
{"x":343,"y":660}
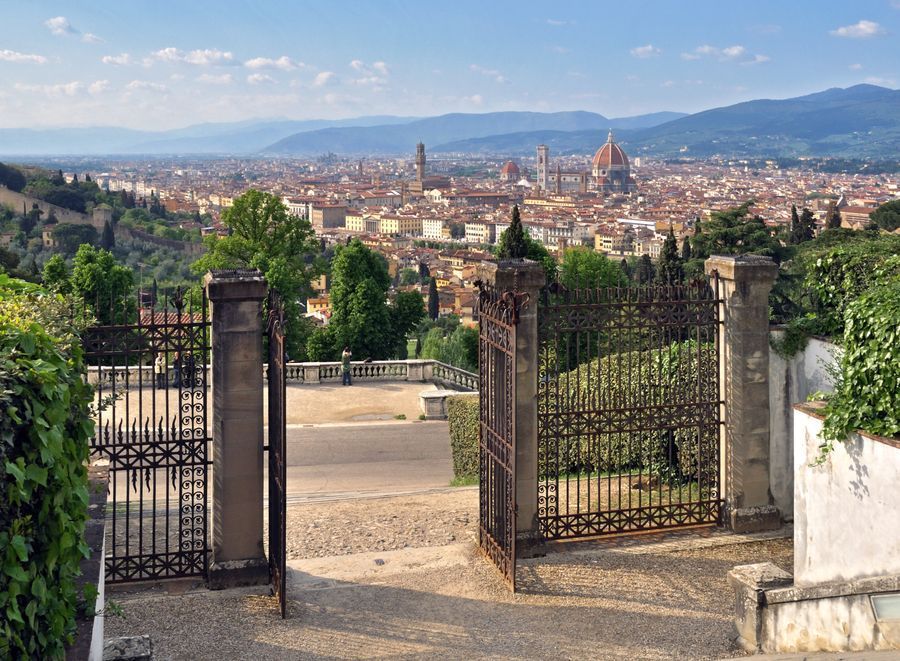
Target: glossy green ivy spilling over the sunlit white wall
{"x":867,"y":394}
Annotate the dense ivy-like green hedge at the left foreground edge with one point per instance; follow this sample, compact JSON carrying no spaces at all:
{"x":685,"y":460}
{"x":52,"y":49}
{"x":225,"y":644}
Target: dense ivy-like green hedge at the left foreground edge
{"x":44,"y":430}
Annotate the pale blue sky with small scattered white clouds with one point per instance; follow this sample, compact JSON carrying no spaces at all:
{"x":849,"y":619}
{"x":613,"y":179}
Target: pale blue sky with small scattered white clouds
{"x":165,"y":64}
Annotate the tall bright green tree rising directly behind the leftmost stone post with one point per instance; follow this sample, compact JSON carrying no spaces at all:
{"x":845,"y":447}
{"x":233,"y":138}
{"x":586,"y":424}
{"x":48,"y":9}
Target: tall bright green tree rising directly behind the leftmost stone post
{"x":265,"y":236}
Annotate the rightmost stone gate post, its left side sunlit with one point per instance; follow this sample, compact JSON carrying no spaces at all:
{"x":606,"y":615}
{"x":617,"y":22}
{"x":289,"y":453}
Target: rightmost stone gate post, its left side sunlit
{"x":745,"y":282}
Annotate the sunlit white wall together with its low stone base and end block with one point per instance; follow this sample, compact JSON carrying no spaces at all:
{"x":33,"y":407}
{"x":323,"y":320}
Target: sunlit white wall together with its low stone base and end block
{"x":845,"y":591}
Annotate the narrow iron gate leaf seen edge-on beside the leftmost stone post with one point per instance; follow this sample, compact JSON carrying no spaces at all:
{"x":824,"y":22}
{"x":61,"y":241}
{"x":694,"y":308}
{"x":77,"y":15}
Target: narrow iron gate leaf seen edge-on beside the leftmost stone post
{"x":277,"y":450}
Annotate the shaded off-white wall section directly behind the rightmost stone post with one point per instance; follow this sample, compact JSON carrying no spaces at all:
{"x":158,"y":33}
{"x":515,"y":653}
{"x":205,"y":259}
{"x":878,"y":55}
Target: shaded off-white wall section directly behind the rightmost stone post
{"x":791,"y":381}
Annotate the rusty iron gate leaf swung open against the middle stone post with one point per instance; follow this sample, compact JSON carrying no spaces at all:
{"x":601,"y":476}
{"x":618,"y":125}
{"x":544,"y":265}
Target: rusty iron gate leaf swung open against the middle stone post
{"x":497,"y":319}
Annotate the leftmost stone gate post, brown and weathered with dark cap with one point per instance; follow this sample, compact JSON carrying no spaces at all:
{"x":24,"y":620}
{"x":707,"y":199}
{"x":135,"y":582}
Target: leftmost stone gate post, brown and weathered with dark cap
{"x":237,"y":395}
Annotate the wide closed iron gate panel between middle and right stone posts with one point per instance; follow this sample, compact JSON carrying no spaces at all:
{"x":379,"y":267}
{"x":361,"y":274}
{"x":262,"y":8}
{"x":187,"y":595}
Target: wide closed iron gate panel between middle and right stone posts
{"x":628,"y":408}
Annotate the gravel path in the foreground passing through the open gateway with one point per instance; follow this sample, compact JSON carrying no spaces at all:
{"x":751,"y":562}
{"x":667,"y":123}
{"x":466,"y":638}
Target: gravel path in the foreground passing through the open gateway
{"x":637,"y":600}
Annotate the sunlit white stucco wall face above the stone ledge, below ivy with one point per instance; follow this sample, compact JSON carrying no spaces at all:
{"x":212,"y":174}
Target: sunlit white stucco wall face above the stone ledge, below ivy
{"x":846,"y":518}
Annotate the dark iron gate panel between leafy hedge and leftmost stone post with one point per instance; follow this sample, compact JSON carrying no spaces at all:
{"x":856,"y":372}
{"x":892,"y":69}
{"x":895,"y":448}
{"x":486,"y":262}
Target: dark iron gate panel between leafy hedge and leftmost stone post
{"x":149,"y":369}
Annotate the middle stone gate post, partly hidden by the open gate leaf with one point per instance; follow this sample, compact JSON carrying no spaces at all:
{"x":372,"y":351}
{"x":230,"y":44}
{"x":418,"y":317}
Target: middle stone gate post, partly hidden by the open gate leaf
{"x":527,"y":277}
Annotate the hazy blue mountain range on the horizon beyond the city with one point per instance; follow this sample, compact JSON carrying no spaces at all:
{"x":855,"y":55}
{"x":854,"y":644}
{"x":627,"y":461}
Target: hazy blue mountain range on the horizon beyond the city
{"x":858,"y":122}
